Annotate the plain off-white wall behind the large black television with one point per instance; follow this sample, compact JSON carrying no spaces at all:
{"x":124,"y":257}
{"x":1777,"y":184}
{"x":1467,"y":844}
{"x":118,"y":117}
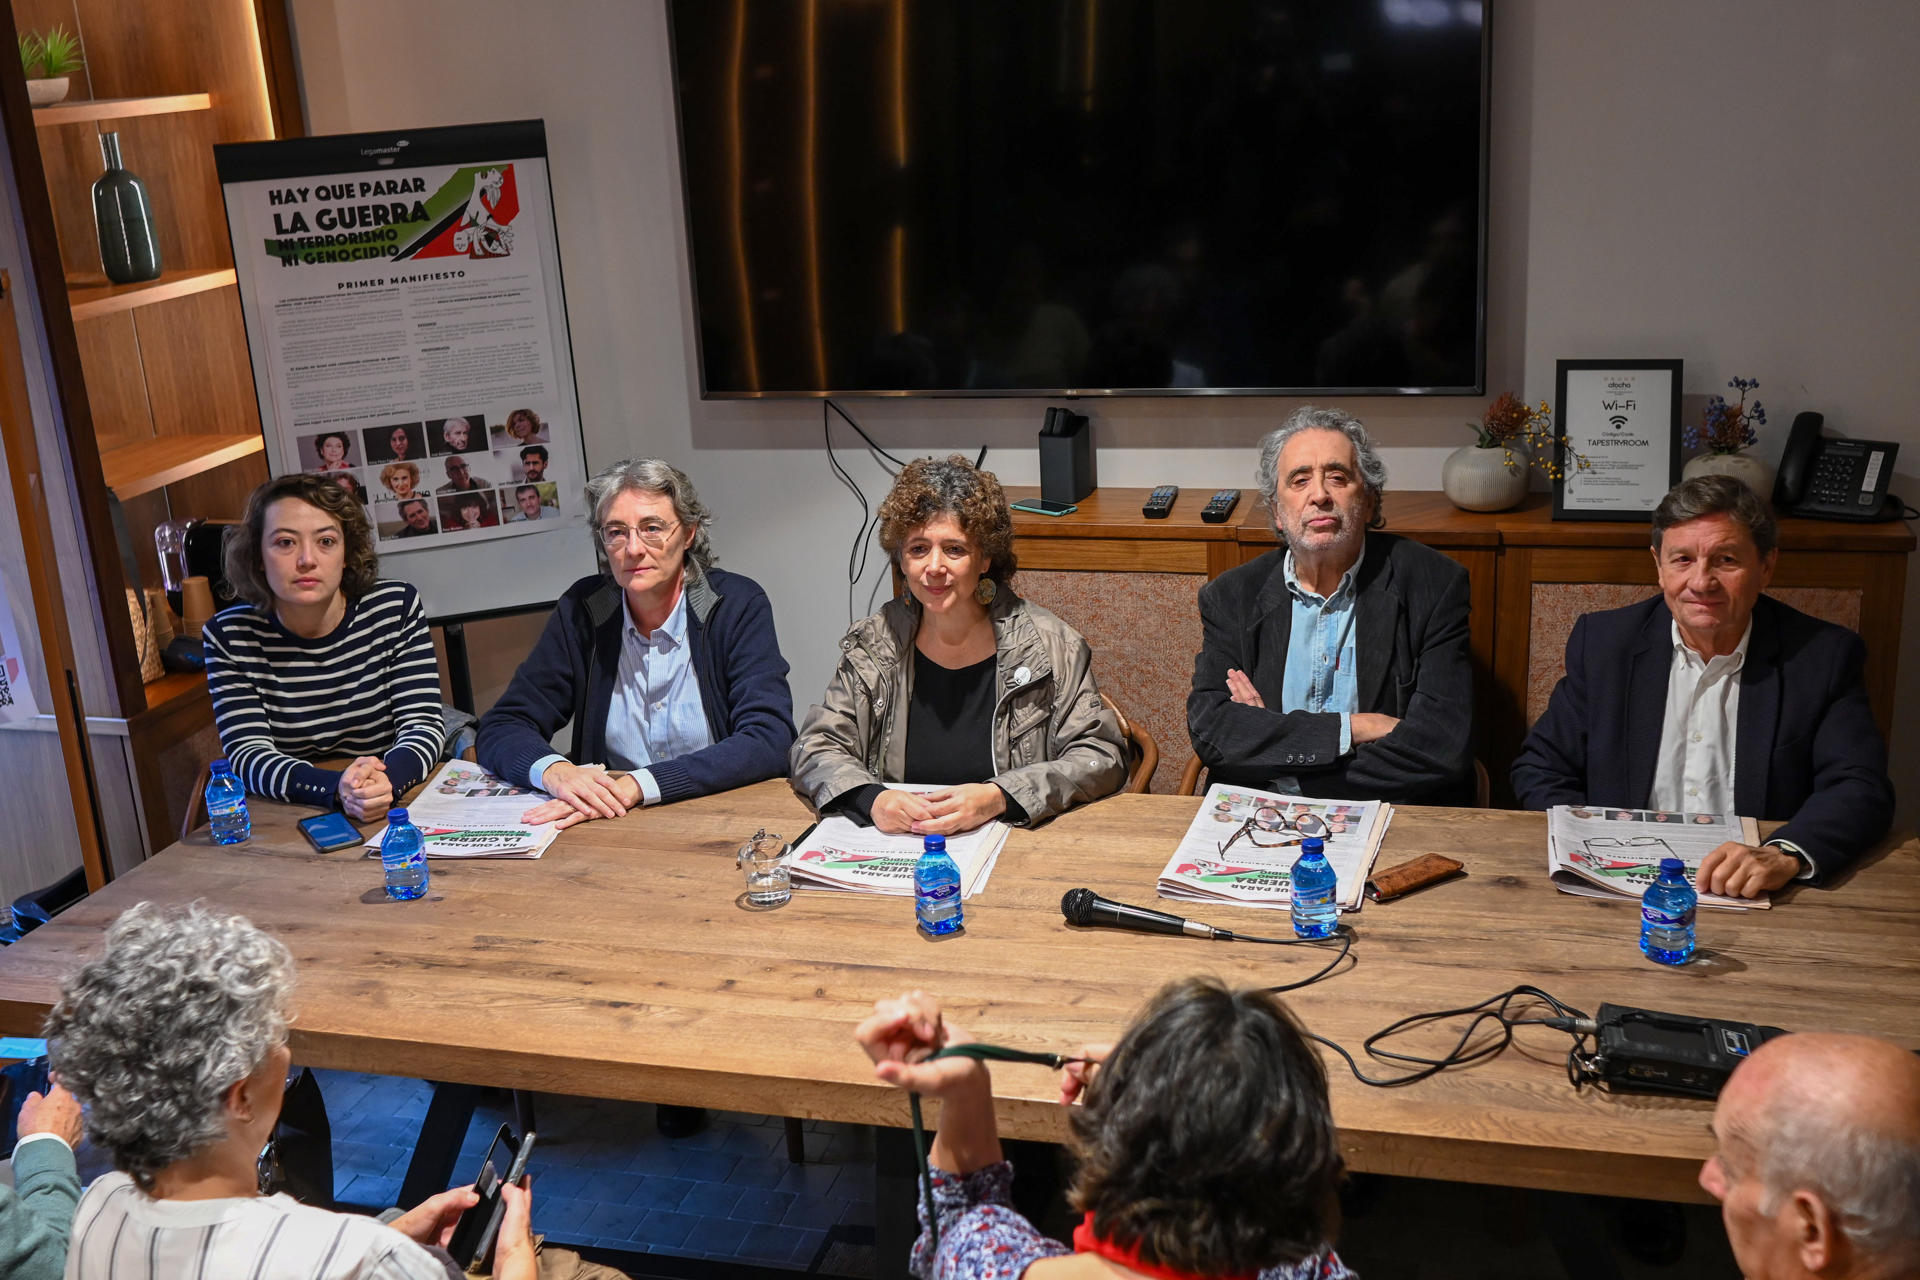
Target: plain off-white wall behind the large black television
{"x":1727,"y":181}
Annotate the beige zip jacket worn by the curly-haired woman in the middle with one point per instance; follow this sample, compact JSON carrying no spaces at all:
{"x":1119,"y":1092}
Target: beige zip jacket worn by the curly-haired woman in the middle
{"x":1055,"y":742}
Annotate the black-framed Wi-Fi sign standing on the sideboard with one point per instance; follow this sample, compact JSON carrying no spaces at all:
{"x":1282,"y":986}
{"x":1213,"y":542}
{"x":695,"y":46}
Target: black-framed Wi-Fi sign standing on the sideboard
{"x":1616,"y":439}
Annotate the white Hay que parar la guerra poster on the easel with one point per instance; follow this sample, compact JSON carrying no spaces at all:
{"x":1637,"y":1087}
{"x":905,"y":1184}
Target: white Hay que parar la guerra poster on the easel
{"x":408,"y":327}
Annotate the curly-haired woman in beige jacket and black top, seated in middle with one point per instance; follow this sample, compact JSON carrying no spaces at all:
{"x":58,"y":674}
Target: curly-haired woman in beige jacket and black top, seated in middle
{"x":961,"y":684}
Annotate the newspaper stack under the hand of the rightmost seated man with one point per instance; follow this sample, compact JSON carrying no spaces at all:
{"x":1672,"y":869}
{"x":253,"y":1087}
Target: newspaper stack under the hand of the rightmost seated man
{"x":1606,"y":853}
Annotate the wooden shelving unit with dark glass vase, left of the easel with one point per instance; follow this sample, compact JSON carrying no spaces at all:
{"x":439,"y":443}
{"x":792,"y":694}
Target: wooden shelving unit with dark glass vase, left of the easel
{"x":153,"y":379}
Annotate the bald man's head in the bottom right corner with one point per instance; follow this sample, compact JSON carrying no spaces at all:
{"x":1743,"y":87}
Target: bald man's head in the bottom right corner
{"x":1819,"y":1158}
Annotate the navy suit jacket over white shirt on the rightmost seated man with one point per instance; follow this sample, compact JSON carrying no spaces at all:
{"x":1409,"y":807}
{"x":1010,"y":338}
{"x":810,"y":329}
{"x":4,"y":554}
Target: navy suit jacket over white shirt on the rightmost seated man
{"x":1806,"y":744}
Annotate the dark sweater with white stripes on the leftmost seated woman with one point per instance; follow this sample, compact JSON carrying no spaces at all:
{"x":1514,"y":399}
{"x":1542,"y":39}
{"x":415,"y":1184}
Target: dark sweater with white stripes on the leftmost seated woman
{"x":370,"y":688}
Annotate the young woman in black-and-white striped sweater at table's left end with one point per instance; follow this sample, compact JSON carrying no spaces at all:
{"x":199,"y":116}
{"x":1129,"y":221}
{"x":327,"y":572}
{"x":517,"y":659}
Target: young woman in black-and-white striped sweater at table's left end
{"x":322,"y":659}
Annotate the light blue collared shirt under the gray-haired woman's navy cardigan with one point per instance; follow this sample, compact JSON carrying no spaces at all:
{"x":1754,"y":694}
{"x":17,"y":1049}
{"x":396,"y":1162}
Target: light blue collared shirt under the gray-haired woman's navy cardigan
{"x":656,"y":711}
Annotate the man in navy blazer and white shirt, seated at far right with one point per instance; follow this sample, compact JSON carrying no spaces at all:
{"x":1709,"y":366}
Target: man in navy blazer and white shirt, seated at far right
{"x":1717,"y":699}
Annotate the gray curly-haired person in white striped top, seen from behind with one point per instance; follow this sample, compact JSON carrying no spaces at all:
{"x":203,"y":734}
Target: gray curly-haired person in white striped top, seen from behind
{"x":178,"y":1043}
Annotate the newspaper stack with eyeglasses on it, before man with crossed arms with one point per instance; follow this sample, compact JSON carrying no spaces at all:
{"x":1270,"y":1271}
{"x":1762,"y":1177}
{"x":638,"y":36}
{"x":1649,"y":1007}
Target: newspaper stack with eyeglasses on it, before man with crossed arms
{"x":1243,"y":847}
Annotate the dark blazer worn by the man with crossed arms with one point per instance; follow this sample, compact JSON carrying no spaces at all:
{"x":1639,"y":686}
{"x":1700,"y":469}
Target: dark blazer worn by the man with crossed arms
{"x":1410,"y":638}
